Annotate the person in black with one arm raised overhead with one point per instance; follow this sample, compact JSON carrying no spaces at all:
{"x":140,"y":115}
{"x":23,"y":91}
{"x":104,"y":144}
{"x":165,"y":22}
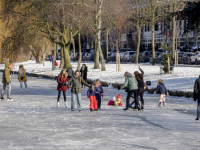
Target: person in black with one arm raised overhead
{"x":139,"y":78}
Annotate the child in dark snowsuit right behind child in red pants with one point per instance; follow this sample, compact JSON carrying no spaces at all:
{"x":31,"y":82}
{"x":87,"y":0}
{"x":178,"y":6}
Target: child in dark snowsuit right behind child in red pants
{"x":99,"y":93}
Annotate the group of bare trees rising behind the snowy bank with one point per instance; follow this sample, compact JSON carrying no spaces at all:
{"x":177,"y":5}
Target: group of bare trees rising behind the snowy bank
{"x":39,"y":22}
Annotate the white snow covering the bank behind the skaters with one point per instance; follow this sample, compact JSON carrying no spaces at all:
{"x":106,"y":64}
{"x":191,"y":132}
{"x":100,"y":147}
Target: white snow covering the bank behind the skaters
{"x":182,"y":78}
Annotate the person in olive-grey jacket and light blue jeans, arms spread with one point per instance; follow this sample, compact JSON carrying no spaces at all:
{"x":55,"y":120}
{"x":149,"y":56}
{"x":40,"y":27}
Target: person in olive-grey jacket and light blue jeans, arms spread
{"x":76,"y":89}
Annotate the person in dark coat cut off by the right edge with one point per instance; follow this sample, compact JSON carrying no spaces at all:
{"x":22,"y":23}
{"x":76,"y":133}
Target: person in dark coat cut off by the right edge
{"x":197,"y":96}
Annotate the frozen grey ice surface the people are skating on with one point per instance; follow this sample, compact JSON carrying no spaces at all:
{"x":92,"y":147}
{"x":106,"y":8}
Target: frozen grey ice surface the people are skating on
{"x":32,"y":121}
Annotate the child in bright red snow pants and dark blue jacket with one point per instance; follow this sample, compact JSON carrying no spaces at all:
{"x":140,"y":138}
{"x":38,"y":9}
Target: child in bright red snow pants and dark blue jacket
{"x":91,"y":94}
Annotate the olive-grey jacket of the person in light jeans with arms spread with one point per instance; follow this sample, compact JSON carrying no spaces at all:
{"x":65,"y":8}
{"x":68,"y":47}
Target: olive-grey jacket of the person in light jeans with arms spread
{"x":76,"y":86}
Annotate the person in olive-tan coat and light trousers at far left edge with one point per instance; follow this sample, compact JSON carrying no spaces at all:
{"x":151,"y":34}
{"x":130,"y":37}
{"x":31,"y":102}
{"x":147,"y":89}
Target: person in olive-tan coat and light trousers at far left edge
{"x":6,"y":82}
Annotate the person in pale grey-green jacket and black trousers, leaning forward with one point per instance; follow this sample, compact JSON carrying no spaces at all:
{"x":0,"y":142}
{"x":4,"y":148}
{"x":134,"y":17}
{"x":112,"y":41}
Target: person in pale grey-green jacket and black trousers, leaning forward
{"x":132,"y":85}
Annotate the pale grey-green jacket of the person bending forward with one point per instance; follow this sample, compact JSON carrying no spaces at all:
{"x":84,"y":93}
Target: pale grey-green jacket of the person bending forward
{"x":131,"y":83}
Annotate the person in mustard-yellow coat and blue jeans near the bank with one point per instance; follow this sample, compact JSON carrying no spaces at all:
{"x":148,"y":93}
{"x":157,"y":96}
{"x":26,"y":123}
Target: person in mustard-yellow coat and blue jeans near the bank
{"x":22,"y":77}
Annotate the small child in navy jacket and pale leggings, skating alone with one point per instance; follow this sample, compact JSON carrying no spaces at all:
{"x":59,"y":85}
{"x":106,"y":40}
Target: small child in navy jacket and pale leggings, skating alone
{"x":162,"y":90}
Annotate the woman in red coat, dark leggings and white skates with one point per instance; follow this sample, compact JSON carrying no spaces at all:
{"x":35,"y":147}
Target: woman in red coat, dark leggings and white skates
{"x":62,"y":86}
